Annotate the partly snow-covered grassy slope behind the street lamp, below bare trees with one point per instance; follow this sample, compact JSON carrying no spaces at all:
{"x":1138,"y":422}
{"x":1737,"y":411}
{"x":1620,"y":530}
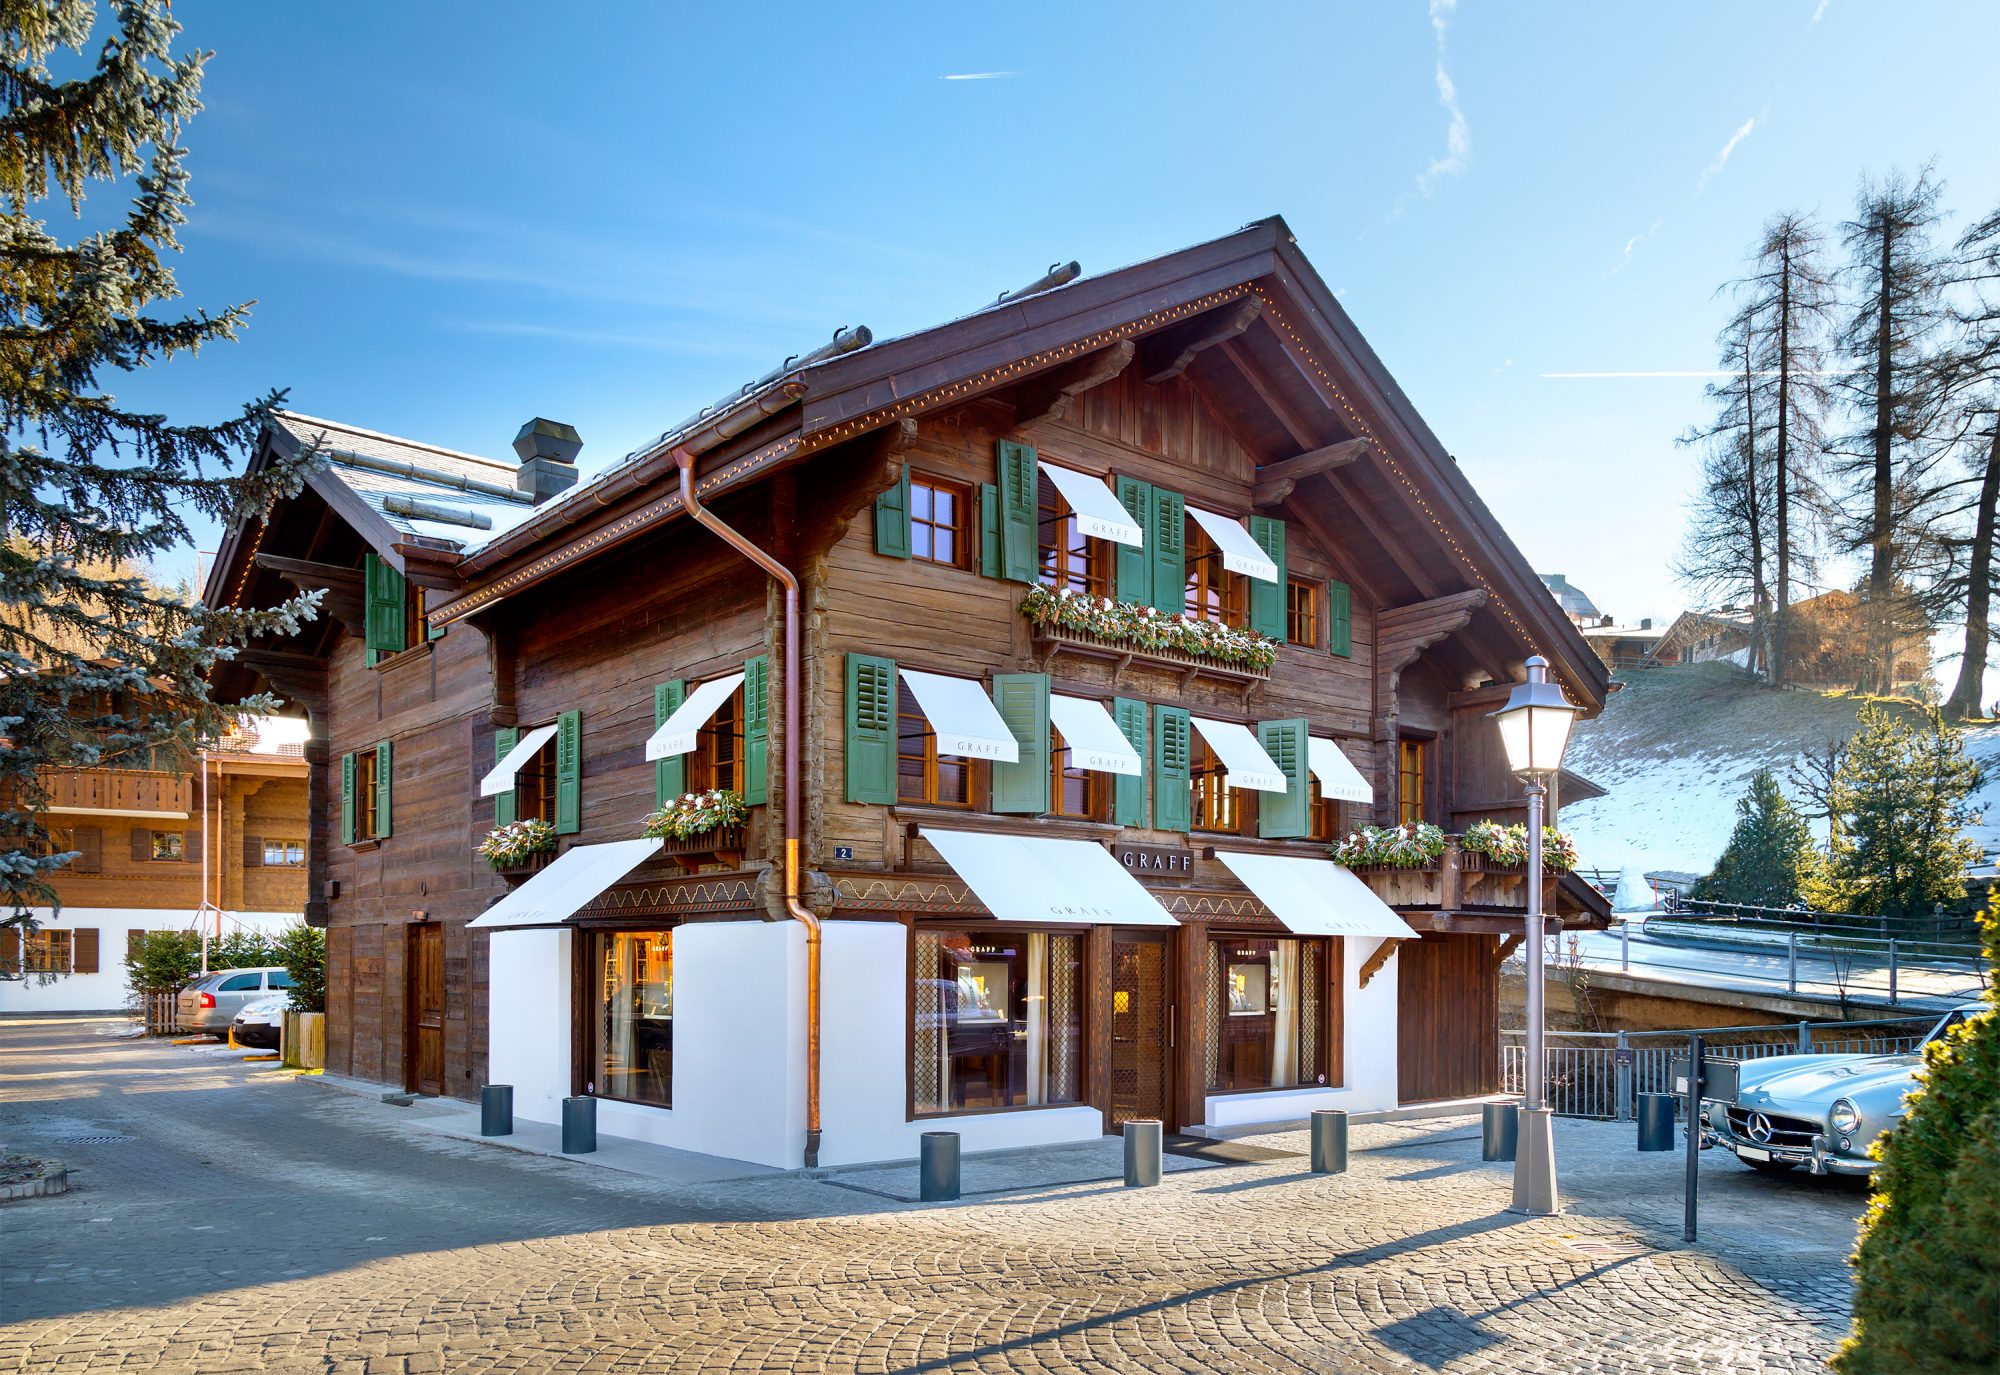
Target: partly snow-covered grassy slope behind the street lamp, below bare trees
{"x":1677,"y":748}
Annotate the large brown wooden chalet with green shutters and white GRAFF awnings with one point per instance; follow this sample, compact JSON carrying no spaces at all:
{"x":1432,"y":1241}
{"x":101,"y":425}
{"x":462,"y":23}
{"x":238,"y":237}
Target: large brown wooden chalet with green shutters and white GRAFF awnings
{"x":941,"y":732}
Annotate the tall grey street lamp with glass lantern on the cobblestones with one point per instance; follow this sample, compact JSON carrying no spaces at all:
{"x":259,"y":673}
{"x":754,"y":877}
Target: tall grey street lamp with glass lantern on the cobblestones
{"x":1535,"y":726}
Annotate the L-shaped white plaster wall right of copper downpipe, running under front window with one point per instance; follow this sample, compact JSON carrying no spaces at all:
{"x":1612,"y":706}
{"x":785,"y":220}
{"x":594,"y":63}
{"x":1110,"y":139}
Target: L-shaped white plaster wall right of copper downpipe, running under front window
{"x":865,"y":1056}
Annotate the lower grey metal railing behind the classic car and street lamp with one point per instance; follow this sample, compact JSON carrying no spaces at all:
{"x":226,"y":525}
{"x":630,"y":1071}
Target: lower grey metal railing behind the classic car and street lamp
{"x":1599,"y":1074}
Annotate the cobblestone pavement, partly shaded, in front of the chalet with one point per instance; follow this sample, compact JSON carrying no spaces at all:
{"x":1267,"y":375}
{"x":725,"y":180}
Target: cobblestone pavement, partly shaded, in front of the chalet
{"x":235,"y":1220}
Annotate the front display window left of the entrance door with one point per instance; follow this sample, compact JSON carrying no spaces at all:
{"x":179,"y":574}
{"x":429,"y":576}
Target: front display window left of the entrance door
{"x":999,"y":1020}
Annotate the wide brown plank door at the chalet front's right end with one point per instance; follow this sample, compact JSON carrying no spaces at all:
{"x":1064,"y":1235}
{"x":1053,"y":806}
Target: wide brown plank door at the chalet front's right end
{"x":1447,"y":1018}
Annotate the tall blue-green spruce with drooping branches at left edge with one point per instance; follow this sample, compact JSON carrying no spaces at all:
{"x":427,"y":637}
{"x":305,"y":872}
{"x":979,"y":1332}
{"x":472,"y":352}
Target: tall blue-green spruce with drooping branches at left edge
{"x":99,"y":665}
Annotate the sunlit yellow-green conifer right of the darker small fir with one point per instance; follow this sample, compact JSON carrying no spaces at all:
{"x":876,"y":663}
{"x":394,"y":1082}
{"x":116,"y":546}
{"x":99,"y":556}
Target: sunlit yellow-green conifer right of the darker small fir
{"x":1901,"y":808}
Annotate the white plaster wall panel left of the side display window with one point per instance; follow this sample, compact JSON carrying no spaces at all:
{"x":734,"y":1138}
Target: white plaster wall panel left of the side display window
{"x":529,"y":1020}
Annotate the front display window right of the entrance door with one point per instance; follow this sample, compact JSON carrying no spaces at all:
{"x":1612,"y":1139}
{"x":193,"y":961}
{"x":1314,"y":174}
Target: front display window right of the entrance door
{"x":1271,"y":1026}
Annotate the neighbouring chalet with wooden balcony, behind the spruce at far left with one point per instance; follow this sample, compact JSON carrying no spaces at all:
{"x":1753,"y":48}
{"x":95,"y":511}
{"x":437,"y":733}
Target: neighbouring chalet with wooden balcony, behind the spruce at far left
{"x":161,"y":848}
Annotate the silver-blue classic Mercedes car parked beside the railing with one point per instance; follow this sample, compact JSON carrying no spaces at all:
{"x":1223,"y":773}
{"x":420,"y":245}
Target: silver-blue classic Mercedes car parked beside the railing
{"x":1819,"y":1112}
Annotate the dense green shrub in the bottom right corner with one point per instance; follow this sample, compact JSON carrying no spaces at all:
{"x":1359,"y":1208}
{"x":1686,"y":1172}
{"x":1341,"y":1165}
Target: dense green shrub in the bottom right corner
{"x":1927,"y":1290}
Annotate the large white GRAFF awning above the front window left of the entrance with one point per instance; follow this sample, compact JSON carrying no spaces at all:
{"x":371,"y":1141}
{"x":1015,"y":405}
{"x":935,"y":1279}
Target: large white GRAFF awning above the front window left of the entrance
{"x":1039,"y":878}
